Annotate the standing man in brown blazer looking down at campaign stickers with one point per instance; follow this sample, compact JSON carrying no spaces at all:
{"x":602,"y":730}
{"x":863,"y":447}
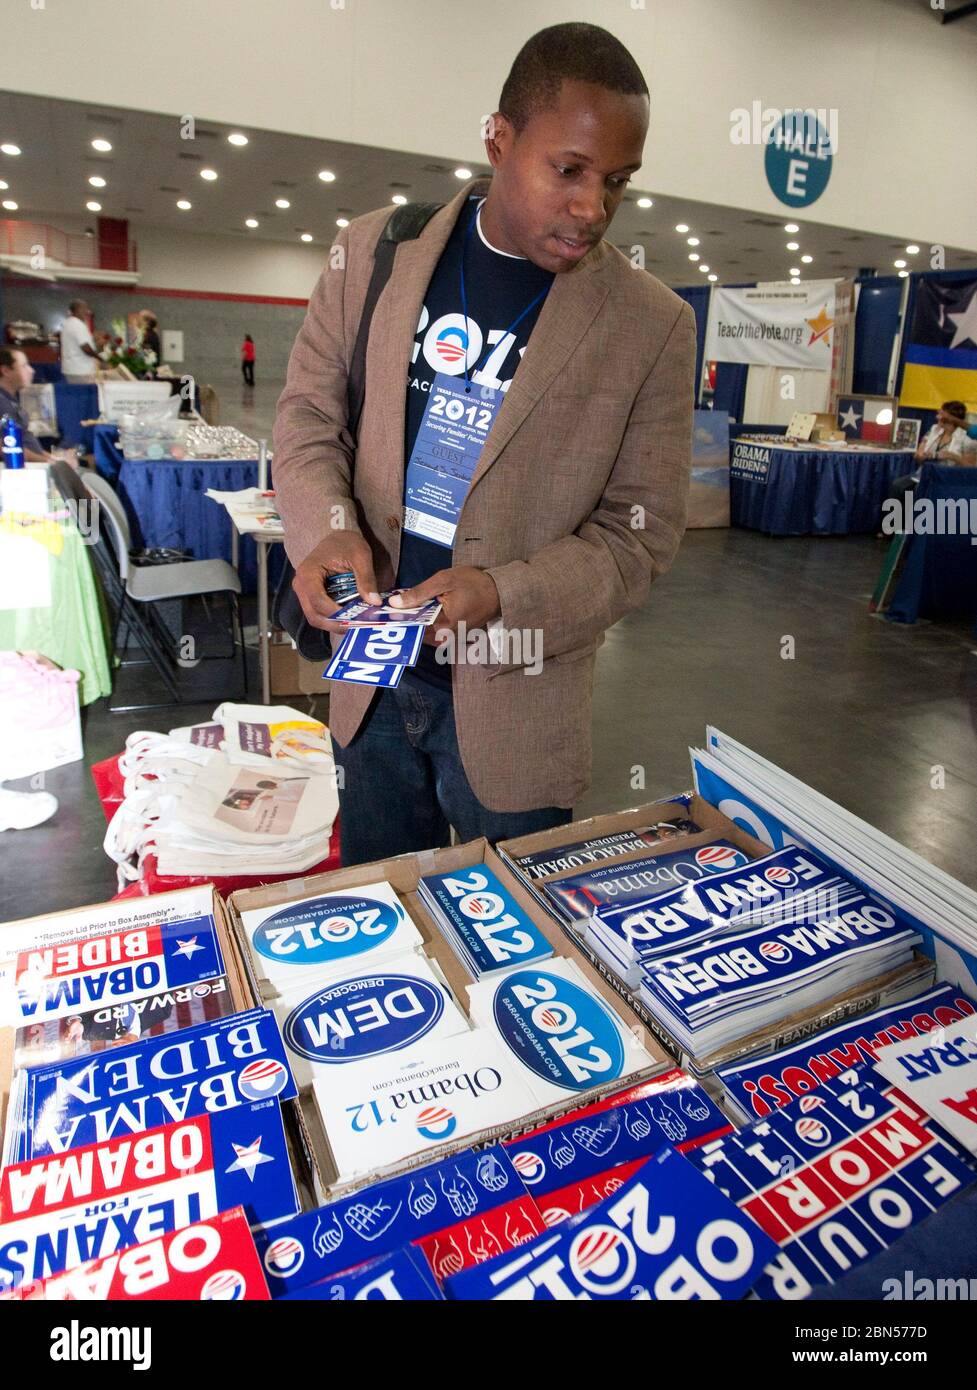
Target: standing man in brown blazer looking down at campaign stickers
{"x":577,"y":493}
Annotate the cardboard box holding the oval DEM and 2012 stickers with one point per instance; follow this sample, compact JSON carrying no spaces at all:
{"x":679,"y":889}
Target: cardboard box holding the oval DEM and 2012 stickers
{"x":404,"y":874}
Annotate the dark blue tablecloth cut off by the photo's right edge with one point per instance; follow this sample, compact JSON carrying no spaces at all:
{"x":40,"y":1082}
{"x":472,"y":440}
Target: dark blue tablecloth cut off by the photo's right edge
{"x":940,"y":572}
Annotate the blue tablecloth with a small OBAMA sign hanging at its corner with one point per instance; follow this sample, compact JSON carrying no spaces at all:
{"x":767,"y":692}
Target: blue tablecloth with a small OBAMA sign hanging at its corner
{"x":811,"y":491}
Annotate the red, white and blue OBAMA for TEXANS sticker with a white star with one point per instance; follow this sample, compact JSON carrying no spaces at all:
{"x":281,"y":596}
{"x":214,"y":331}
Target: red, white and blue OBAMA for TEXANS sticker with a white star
{"x":62,"y":1211}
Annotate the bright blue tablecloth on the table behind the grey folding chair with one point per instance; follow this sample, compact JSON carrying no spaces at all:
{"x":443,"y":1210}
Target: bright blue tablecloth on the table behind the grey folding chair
{"x":167,"y":507}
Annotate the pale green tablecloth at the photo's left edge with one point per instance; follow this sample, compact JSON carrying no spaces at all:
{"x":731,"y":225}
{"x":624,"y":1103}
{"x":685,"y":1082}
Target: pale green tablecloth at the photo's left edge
{"x":73,"y":629}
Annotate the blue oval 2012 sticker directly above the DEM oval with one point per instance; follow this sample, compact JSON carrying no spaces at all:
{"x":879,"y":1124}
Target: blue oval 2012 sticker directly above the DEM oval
{"x":327,"y":931}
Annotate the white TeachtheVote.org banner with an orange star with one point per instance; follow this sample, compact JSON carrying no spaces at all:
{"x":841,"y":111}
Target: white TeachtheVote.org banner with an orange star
{"x":773,"y":326}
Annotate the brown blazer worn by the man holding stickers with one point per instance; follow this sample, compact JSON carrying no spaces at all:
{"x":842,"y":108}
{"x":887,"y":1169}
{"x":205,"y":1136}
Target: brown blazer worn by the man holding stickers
{"x":577,"y":504}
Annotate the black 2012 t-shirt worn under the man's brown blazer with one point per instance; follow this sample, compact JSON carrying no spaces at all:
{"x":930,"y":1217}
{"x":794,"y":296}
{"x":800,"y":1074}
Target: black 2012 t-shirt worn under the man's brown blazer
{"x":498,"y":288}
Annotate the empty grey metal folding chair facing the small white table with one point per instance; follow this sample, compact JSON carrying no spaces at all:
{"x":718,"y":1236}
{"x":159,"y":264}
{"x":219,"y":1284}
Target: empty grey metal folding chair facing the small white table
{"x":137,"y":589}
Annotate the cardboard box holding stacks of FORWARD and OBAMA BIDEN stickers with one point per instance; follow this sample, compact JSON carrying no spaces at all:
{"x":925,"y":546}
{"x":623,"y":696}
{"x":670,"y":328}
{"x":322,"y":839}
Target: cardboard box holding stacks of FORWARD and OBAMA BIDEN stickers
{"x":862,"y":999}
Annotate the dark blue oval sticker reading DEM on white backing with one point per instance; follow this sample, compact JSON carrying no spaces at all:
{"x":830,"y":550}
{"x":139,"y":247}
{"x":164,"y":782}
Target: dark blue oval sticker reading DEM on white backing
{"x":355,"y":1020}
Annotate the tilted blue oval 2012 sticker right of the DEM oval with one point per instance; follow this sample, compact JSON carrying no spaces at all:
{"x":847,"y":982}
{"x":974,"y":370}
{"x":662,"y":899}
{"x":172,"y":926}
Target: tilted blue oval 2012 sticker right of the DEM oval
{"x":561,"y":1032}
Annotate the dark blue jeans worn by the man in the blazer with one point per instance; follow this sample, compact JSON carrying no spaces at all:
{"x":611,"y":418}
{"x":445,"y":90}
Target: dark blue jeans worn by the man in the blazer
{"x":404,"y":785}
